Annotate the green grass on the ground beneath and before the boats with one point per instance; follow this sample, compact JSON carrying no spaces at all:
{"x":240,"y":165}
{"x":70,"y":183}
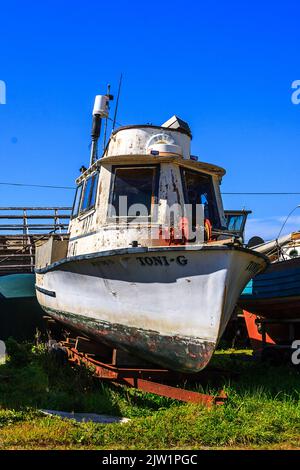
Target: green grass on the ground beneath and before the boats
{"x":262,"y":410}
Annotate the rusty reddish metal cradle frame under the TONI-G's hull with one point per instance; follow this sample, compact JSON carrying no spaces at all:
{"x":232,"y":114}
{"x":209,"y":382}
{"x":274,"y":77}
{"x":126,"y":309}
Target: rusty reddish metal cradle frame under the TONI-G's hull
{"x":145,"y":379}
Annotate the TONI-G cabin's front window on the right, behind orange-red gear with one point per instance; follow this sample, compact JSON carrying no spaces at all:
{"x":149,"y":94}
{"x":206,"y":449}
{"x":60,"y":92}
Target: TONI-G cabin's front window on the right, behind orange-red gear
{"x":199,"y":190}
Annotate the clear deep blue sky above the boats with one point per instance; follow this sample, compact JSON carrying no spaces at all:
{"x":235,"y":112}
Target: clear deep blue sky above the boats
{"x":226,"y":67}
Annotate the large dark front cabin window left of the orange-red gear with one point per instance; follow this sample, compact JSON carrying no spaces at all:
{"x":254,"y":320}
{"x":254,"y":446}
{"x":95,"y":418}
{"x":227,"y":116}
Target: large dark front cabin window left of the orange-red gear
{"x":138,"y":185}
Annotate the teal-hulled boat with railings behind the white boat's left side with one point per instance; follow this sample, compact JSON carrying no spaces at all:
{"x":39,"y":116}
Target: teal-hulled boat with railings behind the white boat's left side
{"x":20,"y":229}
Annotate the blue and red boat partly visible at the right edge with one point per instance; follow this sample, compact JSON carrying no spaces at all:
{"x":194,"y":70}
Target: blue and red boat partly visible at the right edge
{"x":271,"y":300}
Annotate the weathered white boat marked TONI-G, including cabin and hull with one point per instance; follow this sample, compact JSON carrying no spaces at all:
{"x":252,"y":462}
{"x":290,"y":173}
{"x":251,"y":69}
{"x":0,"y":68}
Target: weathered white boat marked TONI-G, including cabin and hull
{"x":149,"y":267}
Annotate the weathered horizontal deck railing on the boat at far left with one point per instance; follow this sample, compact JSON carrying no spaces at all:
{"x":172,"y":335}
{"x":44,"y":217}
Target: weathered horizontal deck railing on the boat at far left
{"x":21,"y":228}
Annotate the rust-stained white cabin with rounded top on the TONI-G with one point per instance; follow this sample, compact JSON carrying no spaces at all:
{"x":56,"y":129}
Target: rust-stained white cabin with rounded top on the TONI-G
{"x":140,"y":190}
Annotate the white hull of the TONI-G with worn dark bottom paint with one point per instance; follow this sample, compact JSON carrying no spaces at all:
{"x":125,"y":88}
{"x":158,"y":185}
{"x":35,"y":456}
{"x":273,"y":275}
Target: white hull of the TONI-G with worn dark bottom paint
{"x":167,"y":305}
